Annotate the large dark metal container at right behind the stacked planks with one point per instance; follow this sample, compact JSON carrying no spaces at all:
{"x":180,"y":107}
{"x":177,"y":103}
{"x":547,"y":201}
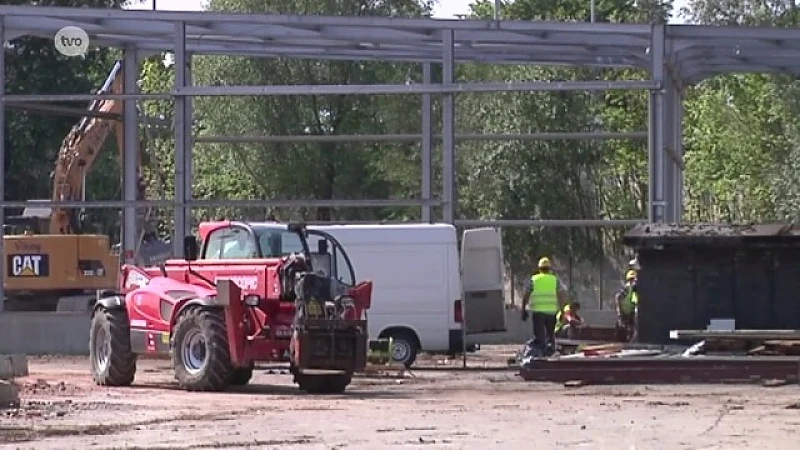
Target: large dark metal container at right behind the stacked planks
{"x":694,"y":273}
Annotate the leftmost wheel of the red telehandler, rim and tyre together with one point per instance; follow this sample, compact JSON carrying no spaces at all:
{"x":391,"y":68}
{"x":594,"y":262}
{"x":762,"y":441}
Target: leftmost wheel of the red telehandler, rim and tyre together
{"x":112,"y":361}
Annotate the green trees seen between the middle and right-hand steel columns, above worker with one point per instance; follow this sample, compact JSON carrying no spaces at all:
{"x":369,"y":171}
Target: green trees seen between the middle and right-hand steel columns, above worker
{"x":556,"y":179}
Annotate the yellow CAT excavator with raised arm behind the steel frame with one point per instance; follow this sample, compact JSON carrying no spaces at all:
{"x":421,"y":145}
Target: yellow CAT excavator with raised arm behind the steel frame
{"x":51,"y":262}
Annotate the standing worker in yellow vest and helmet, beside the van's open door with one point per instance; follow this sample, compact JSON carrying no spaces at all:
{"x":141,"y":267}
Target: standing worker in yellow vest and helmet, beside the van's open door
{"x":546,"y":296}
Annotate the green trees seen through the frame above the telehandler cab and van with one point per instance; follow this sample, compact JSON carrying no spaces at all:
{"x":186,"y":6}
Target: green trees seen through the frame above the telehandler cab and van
{"x":323,"y":170}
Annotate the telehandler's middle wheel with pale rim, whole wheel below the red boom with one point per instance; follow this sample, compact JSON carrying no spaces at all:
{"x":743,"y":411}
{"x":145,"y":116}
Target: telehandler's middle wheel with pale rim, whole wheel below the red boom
{"x":200,"y":353}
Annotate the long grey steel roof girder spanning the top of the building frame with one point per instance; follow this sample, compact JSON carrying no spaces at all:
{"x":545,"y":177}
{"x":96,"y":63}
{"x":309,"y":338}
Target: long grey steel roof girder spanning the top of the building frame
{"x":405,"y":39}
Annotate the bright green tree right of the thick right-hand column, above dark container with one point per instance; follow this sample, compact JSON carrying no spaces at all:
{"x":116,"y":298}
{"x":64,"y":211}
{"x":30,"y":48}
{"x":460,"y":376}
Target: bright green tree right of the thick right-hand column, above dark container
{"x":740,"y":129}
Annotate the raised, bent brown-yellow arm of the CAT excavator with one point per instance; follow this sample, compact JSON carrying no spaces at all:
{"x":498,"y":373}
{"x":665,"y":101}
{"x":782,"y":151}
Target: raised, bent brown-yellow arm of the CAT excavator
{"x":79,"y":151}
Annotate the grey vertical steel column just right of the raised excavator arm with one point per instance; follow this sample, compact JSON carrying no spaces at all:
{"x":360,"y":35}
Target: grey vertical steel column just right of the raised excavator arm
{"x":130,"y":152}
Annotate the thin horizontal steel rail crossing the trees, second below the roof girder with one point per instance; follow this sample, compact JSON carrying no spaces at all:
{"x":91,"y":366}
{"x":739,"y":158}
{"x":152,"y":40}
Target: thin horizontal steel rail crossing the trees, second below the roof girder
{"x":545,"y":136}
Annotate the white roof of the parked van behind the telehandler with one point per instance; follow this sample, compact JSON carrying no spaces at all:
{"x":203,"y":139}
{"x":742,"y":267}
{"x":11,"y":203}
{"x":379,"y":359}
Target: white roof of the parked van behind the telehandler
{"x":417,"y":233}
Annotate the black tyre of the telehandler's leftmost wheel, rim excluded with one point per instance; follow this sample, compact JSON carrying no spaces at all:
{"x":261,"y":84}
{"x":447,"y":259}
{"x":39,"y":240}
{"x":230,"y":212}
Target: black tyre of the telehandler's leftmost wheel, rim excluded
{"x":122,"y":361}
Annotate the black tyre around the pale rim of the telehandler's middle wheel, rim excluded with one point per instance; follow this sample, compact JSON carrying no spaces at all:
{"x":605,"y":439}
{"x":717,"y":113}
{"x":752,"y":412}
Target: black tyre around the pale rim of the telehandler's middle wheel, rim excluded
{"x":219,"y":371}
